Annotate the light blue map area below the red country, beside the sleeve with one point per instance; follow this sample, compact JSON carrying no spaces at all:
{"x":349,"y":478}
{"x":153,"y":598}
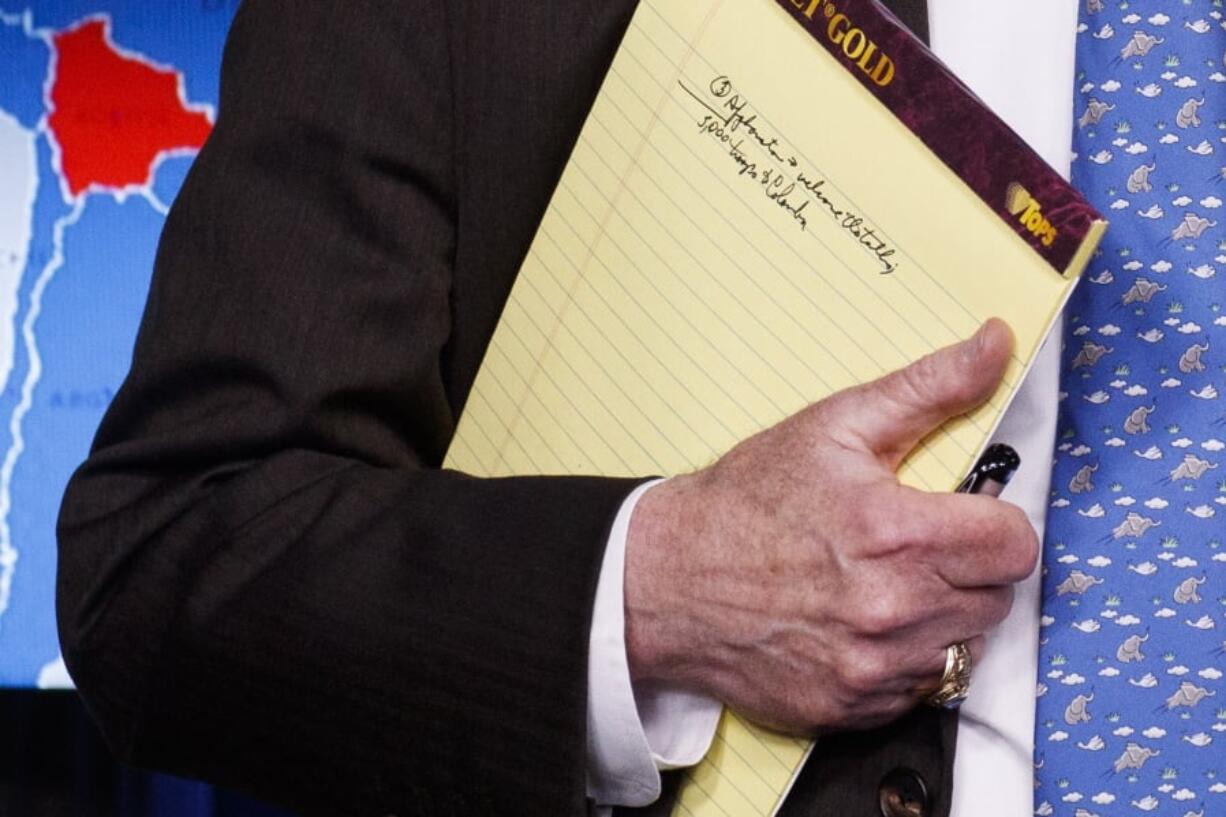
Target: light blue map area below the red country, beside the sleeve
{"x":94,"y":304}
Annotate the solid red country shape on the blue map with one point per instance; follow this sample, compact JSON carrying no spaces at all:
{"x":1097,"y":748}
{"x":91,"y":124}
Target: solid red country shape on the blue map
{"x":115,"y":115}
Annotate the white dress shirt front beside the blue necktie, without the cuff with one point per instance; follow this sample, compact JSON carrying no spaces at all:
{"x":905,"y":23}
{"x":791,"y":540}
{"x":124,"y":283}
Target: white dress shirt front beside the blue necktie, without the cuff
{"x":1019,"y":59}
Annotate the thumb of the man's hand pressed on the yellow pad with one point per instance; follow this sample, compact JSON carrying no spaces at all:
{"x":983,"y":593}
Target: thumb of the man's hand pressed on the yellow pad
{"x":889,"y":416}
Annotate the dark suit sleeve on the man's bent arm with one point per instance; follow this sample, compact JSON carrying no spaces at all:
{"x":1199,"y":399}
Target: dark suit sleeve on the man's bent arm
{"x":265,"y":580}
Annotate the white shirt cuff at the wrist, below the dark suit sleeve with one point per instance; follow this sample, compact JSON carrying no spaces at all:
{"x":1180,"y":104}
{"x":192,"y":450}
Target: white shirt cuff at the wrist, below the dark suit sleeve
{"x":633,"y":733}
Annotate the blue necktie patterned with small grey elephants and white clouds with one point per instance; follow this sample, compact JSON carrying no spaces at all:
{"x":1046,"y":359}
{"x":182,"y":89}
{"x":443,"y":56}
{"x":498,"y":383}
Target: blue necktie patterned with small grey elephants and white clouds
{"x":1132,"y":704}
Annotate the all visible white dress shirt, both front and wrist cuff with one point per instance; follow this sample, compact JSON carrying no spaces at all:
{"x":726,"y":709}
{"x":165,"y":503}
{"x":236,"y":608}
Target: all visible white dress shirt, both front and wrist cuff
{"x":1019,"y":59}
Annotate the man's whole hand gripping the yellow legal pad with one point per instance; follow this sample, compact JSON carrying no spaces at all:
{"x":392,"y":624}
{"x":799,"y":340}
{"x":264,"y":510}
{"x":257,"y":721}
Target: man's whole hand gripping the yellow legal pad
{"x":800,"y":583}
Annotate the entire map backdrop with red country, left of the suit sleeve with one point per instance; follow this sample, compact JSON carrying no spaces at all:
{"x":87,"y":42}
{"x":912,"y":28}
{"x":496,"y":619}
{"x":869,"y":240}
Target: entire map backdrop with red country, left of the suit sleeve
{"x":104,"y":106}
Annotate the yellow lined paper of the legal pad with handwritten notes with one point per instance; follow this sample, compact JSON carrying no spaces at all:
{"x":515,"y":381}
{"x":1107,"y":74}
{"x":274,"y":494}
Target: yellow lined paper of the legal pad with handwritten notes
{"x":742,"y":230}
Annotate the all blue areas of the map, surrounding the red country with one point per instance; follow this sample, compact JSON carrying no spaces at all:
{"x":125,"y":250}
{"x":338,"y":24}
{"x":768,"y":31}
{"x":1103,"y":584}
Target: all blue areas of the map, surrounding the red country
{"x":91,"y":305}
